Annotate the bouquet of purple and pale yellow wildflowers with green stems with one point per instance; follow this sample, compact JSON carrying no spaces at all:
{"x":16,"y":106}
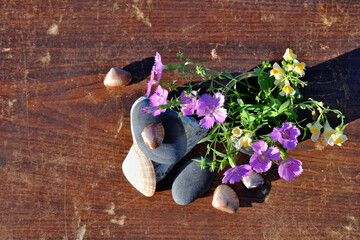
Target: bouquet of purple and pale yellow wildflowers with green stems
{"x":254,"y":113}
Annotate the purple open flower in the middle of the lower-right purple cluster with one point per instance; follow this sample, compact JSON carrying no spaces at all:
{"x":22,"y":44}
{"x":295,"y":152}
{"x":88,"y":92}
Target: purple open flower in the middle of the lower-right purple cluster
{"x":260,"y":161}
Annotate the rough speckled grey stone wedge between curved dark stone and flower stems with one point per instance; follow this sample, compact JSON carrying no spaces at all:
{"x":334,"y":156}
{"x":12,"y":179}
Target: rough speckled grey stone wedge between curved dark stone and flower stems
{"x":194,"y":132}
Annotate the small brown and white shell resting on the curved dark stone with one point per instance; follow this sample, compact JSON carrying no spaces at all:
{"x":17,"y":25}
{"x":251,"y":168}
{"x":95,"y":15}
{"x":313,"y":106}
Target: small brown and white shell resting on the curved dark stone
{"x":153,"y":135}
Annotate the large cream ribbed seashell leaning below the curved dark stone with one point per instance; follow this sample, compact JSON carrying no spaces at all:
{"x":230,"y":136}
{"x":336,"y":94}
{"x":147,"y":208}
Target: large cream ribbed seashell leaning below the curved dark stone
{"x":139,"y":171}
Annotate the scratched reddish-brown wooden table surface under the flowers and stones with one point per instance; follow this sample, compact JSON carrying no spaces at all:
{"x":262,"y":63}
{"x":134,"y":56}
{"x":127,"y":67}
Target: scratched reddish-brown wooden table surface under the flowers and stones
{"x":64,"y":136}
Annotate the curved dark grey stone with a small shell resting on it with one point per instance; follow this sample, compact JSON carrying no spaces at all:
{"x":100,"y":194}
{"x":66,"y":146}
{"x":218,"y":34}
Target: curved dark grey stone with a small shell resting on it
{"x":173,"y":147}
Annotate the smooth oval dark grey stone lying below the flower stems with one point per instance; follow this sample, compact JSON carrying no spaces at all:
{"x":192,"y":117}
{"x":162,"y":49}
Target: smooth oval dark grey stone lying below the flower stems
{"x":191,"y":182}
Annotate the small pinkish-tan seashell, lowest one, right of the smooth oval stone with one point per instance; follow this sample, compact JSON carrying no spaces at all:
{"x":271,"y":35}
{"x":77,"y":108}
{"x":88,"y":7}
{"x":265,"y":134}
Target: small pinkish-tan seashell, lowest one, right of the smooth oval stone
{"x":225,"y":199}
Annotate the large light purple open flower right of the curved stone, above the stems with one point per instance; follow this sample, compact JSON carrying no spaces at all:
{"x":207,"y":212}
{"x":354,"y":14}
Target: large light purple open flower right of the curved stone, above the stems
{"x":211,"y":109}
